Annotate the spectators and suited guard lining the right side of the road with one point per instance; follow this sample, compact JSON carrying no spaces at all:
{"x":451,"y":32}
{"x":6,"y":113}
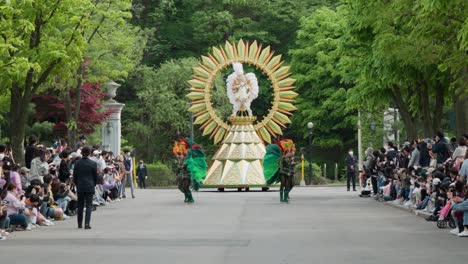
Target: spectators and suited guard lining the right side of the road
{"x":429,"y":175}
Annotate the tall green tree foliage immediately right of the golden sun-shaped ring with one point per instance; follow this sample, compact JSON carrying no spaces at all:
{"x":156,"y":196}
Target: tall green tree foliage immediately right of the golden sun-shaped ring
{"x":316,"y":66}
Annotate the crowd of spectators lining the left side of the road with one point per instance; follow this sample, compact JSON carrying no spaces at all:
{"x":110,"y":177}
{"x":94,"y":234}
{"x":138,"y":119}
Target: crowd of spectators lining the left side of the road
{"x":44,"y":190}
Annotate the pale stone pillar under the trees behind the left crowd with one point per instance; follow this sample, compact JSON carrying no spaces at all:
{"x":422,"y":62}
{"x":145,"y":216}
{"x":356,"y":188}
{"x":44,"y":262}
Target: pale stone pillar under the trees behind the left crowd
{"x":111,"y":128}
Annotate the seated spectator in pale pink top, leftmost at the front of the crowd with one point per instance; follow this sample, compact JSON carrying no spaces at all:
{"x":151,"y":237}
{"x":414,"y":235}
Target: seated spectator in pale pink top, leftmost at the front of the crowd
{"x":14,"y":206}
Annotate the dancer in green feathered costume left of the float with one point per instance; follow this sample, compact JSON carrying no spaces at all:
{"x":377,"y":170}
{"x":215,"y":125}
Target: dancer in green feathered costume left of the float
{"x":191,"y":166}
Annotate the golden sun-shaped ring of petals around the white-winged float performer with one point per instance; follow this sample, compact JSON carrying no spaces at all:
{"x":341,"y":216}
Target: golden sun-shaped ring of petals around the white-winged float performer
{"x":262,"y":59}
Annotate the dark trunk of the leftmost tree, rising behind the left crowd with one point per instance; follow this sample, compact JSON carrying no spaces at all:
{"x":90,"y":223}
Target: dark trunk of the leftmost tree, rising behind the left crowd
{"x":18,"y":118}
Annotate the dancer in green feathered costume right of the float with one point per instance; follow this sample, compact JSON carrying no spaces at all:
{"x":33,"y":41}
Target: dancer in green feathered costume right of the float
{"x":279,"y":166}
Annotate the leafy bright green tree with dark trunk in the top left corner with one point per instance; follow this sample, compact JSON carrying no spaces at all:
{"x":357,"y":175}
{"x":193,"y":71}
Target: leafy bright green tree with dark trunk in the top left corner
{"x":39,"y":39}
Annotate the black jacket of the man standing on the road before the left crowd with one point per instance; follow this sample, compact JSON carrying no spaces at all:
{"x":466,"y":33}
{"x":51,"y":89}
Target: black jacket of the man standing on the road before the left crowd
{"x":85,"y":175}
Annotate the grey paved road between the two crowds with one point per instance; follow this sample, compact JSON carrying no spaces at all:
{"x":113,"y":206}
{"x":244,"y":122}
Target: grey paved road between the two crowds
{"x":320,"y":225}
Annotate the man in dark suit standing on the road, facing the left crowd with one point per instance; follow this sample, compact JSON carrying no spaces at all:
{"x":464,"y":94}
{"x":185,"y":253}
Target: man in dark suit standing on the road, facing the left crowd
{"x":85,"y":178}
